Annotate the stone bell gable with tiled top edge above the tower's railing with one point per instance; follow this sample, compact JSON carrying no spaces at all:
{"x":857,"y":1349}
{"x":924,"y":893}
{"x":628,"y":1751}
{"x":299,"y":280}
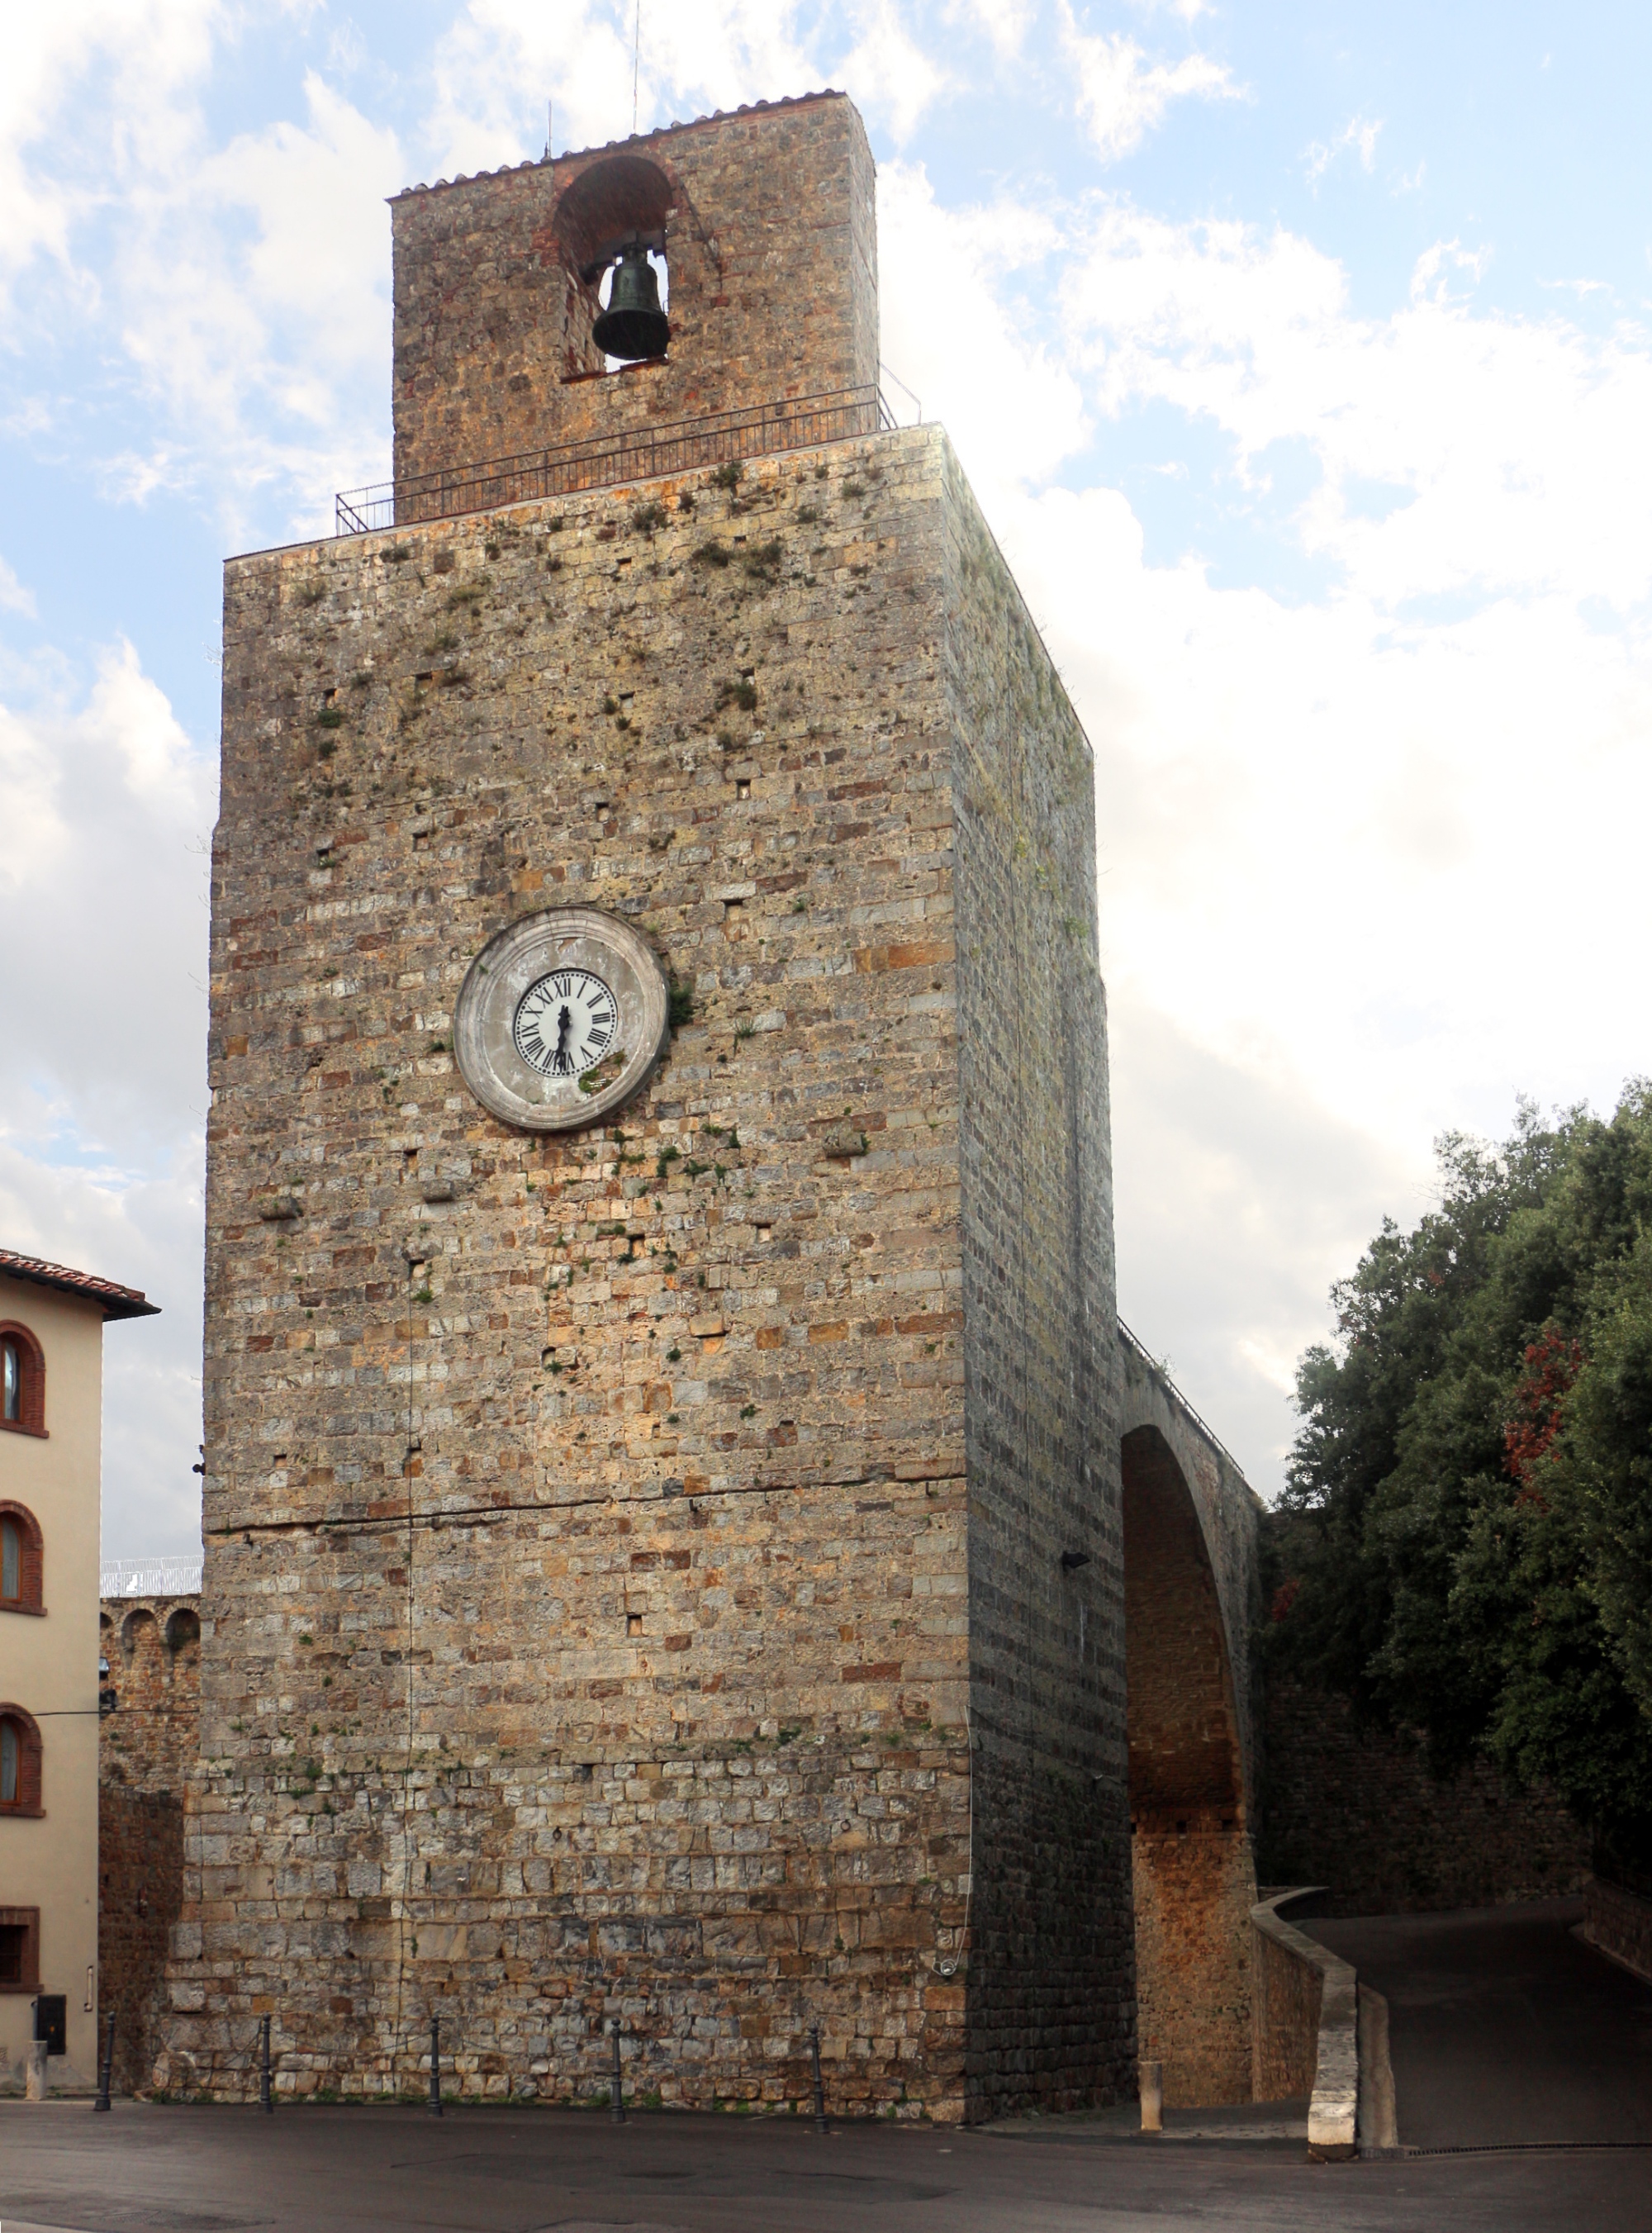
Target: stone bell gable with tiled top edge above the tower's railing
{"x":762,"y":222}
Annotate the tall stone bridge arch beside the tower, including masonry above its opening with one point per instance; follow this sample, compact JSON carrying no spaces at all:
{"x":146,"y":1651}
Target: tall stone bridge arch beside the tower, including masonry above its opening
{"x":1191,"y":1602}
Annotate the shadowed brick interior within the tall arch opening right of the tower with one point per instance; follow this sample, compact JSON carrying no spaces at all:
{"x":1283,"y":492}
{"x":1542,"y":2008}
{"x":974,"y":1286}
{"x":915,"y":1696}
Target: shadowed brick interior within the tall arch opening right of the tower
{"x":1191,"y":1852}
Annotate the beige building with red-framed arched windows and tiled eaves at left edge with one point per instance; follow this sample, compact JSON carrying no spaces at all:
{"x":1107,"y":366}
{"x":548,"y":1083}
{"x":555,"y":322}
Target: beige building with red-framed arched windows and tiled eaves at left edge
{"x":50,"y":1479}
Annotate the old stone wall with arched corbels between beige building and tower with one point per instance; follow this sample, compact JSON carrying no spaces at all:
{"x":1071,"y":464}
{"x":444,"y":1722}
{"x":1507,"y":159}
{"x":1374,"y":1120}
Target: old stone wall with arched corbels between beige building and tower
{"x":148,"y":1732}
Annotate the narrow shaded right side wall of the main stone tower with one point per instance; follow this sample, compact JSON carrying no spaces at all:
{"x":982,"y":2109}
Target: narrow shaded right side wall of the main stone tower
{"x":1050,"y":1977}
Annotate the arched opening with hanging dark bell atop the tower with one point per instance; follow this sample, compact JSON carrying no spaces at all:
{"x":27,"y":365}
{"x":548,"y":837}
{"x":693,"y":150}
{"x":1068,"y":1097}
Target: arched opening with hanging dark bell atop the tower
{"x":611,"y":233}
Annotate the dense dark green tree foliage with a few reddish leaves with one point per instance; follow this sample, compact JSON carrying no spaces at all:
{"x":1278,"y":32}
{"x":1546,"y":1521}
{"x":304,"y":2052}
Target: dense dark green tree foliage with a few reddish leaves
{"x":1466,"y":1542}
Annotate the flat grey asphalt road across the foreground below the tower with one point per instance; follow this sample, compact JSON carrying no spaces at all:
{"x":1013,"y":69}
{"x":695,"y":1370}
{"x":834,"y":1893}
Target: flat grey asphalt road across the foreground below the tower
{"x":519,"y":2172}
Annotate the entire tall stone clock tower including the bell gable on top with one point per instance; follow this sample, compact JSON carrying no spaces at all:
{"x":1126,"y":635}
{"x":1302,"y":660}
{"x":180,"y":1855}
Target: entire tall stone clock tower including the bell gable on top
{"x":662,"y":1477}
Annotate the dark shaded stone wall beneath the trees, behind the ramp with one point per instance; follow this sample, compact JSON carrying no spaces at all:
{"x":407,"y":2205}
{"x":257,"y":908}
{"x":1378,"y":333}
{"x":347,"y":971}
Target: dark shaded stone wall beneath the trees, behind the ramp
{"x":1358,"y":1812}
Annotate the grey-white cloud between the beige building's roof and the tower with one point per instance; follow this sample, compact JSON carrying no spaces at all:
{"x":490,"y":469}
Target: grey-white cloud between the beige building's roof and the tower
{"x":104,"y":1055}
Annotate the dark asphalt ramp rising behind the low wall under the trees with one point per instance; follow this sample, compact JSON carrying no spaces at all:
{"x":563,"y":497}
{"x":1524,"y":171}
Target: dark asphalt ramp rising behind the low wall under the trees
{"x":1506,"y":2031}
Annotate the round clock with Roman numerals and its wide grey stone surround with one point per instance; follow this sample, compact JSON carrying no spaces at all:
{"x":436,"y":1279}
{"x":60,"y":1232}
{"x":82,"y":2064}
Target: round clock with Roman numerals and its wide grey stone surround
{"x":561,"y":1019}
